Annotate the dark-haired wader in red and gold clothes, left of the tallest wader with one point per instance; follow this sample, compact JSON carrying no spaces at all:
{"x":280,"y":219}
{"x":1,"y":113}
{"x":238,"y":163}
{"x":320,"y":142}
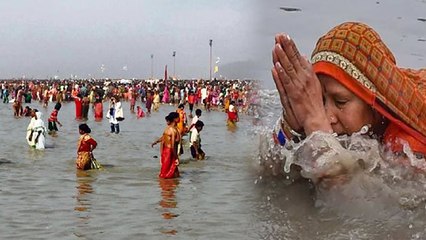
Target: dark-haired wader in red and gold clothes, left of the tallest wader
{"x":86,"y":145}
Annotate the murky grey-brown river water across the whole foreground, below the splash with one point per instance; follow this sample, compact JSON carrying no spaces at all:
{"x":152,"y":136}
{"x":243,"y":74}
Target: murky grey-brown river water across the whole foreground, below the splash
{"x":230,"y":195}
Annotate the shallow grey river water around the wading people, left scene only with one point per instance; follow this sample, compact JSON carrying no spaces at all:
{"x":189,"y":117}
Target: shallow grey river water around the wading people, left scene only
{"x":43,"y":196}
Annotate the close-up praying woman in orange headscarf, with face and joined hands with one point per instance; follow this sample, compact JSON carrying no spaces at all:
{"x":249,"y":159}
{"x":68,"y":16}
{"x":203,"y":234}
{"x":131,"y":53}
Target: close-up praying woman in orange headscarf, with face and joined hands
{"x":351,"y":85}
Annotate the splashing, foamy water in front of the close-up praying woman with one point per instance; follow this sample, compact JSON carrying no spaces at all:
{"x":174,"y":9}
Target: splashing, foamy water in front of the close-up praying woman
{"x":354,"y":178}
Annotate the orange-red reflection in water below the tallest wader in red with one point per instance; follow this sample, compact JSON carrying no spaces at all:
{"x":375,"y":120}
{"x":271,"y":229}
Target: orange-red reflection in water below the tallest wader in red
{"x":168,"y":200}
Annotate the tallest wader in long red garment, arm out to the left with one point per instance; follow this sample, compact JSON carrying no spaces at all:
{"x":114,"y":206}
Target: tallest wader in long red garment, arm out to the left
{"x":169,"y":142}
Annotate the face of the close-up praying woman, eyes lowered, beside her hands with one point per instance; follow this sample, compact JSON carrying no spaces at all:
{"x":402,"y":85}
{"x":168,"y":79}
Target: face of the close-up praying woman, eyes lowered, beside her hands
{"x":346,"y":112}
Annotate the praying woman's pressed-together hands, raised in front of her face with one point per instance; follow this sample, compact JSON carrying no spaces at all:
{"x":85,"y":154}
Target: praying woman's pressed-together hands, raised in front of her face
{"x":297,"y":81}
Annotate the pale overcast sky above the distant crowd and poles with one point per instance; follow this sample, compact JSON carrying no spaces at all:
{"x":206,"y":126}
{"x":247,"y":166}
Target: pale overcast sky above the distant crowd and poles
{"x":41,"y":38}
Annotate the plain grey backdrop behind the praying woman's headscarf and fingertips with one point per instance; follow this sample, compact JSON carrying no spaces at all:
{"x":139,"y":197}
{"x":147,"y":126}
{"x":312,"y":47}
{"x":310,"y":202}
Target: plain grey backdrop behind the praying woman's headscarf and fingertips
{"x":396,"y":21}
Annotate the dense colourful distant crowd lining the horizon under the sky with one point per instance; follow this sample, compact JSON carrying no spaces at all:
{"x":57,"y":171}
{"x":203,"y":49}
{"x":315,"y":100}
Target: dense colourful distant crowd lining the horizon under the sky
{"x":212,"y":94}
